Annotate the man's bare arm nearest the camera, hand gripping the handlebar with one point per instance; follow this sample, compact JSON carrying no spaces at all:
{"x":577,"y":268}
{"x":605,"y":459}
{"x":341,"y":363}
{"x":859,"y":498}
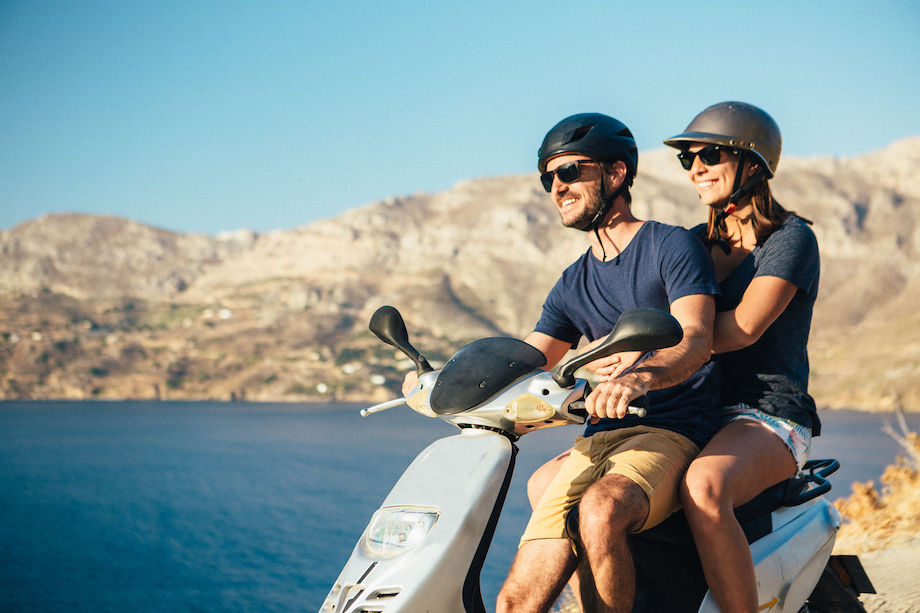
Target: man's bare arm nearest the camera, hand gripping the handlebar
{"x":667,"y":367}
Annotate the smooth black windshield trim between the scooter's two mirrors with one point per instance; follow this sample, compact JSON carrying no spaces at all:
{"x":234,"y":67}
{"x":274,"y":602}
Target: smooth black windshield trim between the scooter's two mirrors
{"x":480,"y":370}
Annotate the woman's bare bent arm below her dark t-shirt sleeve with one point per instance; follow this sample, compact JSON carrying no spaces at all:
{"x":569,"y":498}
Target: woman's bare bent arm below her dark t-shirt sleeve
{"x":763,"y":301}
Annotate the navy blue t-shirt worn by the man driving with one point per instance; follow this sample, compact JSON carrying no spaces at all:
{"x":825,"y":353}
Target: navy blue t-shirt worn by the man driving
{"x":661,"y":264}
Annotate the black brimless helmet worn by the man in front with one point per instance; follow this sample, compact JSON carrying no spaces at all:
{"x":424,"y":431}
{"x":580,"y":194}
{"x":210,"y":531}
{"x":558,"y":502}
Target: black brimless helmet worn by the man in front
{"x":595,"y":135}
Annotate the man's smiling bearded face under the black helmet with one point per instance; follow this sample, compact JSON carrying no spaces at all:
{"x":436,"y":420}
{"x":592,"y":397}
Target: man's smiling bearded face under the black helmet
{"x":579,"y":201}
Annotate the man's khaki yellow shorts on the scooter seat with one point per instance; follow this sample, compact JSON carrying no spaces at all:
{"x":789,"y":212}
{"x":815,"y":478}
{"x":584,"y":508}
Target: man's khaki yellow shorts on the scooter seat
{"x":653,"y":458}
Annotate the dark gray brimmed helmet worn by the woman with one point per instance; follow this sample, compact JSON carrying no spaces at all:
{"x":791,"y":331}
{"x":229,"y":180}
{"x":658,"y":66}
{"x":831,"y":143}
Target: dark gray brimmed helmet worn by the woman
{"x":735,"y":124}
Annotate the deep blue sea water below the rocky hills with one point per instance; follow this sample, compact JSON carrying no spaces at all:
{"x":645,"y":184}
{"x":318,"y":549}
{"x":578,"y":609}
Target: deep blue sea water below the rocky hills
{"x":205,"y":506}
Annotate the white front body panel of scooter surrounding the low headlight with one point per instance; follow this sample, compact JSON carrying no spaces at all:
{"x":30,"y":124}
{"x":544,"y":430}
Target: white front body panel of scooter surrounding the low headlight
{"x":464,"y":479}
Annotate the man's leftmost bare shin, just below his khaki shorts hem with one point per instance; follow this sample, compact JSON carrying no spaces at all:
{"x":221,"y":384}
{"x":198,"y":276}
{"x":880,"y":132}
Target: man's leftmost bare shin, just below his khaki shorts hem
{"x":538,"y":574}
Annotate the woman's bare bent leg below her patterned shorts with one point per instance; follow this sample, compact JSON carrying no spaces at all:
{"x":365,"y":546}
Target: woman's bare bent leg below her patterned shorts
{"x":740,"y":461}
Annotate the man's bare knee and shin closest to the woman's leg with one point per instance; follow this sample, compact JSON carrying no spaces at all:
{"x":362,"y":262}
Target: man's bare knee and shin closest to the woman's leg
{"x":610,"y":509}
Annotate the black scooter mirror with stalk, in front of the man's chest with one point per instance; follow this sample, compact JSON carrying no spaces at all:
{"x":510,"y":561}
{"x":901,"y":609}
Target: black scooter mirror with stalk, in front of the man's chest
{"x":635,"y":330}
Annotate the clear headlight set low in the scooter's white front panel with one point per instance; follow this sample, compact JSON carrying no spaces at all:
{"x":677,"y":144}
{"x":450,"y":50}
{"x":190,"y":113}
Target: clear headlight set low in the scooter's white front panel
{"x":395,"y":530}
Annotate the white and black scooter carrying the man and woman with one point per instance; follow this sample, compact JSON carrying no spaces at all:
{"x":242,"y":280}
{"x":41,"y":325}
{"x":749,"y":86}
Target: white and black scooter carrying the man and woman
{"x":424,"y":548}
